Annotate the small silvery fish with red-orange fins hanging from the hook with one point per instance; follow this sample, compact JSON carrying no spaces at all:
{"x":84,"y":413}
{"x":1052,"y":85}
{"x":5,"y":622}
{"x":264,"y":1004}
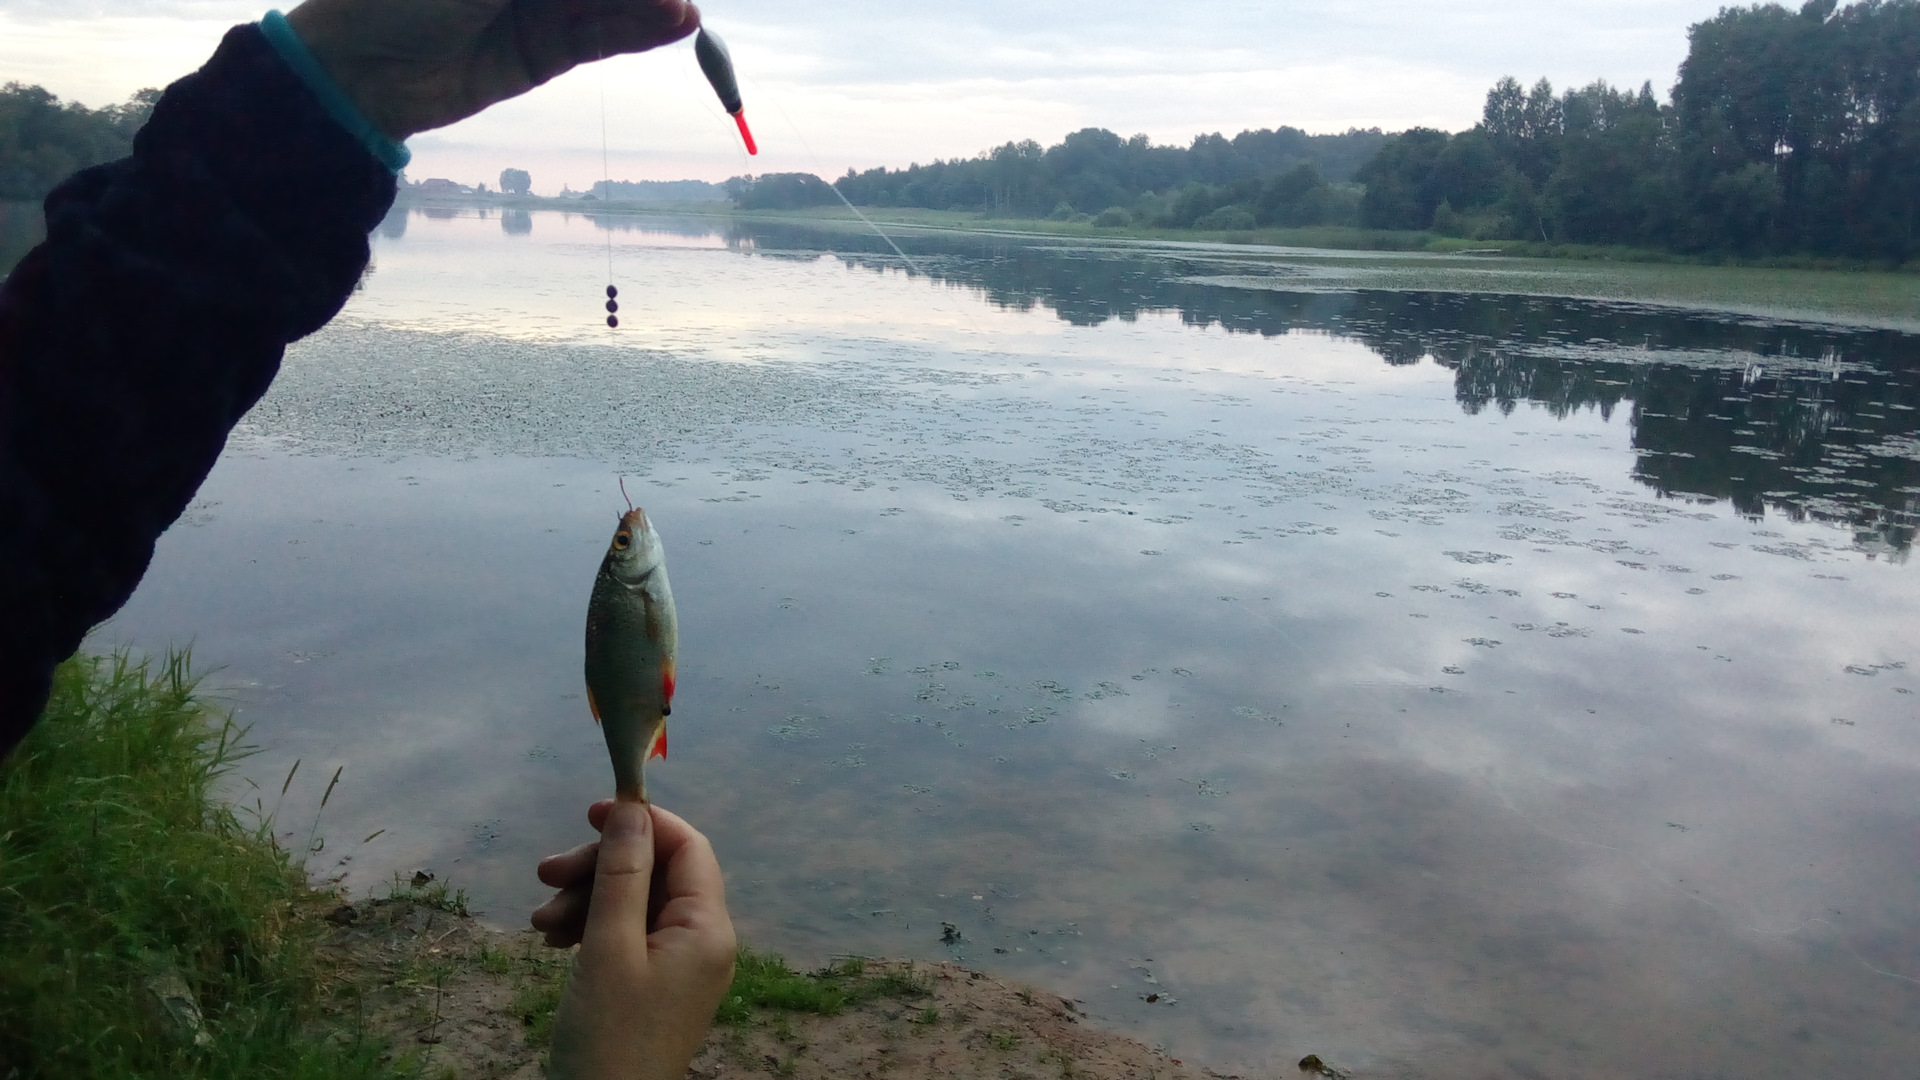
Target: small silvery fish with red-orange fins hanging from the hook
{"x":633,"y":639}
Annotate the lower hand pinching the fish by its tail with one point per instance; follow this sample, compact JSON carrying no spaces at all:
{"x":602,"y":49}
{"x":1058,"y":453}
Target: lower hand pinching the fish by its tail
{"x":648,"y":908}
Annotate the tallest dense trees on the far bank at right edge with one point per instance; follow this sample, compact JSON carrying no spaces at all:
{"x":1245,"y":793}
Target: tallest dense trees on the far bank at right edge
{"x":1788,"y":134}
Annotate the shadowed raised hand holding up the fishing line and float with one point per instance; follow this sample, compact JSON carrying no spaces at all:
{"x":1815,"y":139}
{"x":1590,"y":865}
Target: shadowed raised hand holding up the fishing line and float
{"x":421,"y":64}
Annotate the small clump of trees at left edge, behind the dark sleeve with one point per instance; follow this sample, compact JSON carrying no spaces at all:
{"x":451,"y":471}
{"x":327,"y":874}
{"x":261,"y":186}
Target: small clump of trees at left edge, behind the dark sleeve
{"x":45,"y":141}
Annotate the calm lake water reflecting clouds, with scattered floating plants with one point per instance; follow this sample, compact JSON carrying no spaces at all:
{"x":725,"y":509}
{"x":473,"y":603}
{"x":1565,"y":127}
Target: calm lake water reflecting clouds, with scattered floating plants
{"x":1441,"y":683}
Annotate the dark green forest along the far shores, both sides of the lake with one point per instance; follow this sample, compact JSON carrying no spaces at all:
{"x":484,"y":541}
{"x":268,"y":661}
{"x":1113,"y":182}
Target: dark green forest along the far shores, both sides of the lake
{"x":1788,"y":134}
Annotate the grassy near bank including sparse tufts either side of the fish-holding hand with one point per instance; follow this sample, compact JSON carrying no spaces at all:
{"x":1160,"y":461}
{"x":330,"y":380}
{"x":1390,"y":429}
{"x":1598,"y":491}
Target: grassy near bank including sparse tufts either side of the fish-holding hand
{"x":149,"y":931}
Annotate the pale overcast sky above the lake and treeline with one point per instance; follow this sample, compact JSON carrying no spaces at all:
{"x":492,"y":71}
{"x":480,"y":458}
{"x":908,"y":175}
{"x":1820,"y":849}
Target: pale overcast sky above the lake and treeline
{"x":894,"y":82}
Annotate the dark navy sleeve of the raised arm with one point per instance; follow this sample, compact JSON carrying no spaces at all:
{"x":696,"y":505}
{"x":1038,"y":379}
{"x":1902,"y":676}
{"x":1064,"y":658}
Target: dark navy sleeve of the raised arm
{"x":147,"y":326}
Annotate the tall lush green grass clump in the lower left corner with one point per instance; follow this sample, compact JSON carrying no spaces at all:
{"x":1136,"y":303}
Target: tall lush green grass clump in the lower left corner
{"x":122,"y":871}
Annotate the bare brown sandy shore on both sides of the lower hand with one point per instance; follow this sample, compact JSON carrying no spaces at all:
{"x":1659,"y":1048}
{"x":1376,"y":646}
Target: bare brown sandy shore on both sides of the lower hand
{"x":473,"y":1002}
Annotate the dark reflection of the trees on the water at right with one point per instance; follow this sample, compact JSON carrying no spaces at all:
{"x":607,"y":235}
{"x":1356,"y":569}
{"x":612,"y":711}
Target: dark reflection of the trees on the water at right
{"x":1812,"y":422}
